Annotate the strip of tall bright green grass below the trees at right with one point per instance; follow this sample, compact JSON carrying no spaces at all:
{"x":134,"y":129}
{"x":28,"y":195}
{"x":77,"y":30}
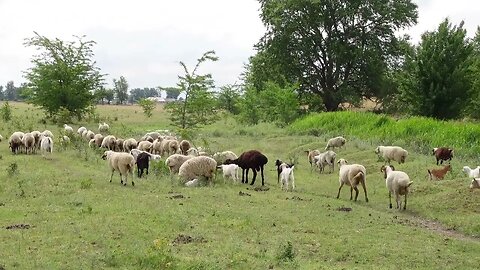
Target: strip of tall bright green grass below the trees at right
{"x":418,"y":133}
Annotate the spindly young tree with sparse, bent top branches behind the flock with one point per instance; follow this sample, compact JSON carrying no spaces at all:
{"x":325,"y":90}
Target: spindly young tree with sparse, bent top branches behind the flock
{"x":198,"y":107}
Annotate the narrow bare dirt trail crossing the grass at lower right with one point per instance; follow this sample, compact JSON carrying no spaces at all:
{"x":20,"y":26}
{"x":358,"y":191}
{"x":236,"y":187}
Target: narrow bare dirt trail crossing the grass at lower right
{"x":436,"y":227}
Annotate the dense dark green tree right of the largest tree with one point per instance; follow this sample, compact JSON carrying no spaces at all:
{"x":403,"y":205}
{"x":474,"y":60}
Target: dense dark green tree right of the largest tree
{"x":443,"y":73}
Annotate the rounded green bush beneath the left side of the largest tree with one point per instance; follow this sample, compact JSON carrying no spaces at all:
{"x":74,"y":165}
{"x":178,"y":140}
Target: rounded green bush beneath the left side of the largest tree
{"x":273,"y":104}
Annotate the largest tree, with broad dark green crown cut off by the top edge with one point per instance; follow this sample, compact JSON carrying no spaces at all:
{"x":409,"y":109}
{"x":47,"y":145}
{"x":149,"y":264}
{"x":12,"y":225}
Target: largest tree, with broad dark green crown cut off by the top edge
{"x":332,"y":48}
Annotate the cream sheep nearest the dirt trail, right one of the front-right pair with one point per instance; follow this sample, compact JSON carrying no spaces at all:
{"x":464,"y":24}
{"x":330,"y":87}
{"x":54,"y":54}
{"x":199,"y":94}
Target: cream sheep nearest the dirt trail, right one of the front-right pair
{"x":397,"y":182}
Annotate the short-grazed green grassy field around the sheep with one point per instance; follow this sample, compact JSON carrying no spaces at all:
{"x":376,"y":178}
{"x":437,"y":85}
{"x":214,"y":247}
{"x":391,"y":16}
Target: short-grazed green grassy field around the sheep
{"x":62,"y":213}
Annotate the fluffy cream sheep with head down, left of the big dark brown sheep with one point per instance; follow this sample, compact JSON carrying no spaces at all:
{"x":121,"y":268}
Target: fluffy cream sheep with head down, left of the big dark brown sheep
{"x":196,"y":167}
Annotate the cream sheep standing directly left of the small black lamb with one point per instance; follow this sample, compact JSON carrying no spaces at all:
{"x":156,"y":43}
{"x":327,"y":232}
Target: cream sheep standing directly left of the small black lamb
{"x":121,"y":162}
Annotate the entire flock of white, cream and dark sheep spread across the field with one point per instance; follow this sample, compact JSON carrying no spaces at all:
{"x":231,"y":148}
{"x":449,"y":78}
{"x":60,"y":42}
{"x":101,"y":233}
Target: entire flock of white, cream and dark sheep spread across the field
{"x":192,"y":163}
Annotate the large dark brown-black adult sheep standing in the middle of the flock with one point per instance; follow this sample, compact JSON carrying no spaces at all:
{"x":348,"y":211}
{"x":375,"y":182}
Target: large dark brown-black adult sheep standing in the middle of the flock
{"x":252,"y":159}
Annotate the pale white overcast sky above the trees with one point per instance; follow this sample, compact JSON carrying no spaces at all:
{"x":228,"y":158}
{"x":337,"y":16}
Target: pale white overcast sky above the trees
{"x":144,"y":40}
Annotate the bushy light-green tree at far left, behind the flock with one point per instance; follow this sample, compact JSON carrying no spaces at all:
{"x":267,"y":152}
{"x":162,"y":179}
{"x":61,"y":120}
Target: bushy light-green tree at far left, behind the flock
{"x":63,"y":76}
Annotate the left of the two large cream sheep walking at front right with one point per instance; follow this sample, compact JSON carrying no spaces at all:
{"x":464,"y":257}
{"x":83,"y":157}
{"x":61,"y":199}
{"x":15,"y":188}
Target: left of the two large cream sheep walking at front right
{"x":352,"y":175}
